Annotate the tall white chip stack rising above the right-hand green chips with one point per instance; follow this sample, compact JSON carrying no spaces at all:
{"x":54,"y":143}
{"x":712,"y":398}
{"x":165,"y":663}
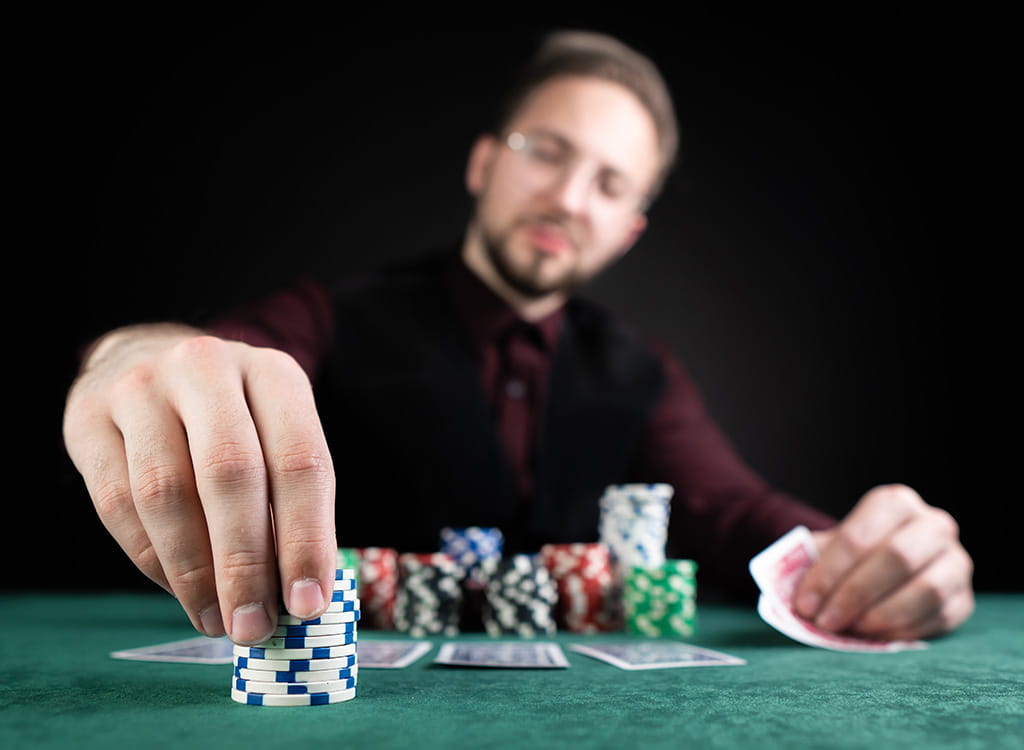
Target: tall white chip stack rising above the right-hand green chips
{"x":634,"y":524}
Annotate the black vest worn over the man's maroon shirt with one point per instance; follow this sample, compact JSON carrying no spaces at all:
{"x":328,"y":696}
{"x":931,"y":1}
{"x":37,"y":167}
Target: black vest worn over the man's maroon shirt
{"x":414,"y":441}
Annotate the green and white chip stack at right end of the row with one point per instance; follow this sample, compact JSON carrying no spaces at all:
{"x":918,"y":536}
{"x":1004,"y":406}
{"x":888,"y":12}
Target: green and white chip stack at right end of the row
{"x":662,"y":601}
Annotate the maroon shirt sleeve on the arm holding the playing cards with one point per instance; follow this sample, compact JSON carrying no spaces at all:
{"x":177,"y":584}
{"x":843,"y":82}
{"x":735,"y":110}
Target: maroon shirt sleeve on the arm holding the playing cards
{"x":722,"y":513}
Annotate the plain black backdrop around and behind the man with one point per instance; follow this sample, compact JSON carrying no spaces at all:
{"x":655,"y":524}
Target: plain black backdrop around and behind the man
{"x":832,"y":259}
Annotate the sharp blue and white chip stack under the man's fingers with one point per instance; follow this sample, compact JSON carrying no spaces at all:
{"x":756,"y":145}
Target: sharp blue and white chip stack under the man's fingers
{"x":306,"y":662}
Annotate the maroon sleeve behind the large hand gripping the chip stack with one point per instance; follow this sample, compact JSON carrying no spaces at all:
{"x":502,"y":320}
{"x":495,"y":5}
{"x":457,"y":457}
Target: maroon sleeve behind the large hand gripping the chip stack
{"x":298,"y":320}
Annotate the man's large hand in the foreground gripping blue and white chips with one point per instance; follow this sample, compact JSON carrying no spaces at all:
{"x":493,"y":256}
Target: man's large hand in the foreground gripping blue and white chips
{"x":206,"y":462}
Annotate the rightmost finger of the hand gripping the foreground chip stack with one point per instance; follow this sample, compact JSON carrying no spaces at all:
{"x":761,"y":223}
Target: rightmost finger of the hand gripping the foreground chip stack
{"x":302,"y":481}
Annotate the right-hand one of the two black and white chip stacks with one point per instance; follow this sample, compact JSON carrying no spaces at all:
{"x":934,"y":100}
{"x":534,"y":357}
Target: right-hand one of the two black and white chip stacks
{"x":521,"y":597}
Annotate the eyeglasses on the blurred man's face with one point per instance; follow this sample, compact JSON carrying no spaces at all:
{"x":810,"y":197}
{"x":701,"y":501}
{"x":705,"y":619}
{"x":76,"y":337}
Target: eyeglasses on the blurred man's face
{"x":548,"y":159}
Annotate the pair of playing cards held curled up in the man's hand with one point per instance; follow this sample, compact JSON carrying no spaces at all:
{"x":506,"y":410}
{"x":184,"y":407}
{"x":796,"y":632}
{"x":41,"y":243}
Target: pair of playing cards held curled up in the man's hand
{"x":778,"y":571}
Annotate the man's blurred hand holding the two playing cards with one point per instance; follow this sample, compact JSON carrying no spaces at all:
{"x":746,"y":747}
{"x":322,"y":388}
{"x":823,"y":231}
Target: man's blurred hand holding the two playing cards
{"x":893,"y":569}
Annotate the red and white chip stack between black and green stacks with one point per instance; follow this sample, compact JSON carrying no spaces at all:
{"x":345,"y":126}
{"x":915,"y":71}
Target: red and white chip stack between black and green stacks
{"x":585,"y":582}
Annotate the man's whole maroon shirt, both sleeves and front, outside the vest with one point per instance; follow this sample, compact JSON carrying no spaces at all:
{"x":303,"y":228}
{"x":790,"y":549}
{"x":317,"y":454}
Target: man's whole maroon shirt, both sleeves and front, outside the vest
{"x":721,"y":508}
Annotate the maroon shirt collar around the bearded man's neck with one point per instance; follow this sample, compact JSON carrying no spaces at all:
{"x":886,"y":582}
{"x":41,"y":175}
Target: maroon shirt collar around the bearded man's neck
{"x":486,"y":315}
